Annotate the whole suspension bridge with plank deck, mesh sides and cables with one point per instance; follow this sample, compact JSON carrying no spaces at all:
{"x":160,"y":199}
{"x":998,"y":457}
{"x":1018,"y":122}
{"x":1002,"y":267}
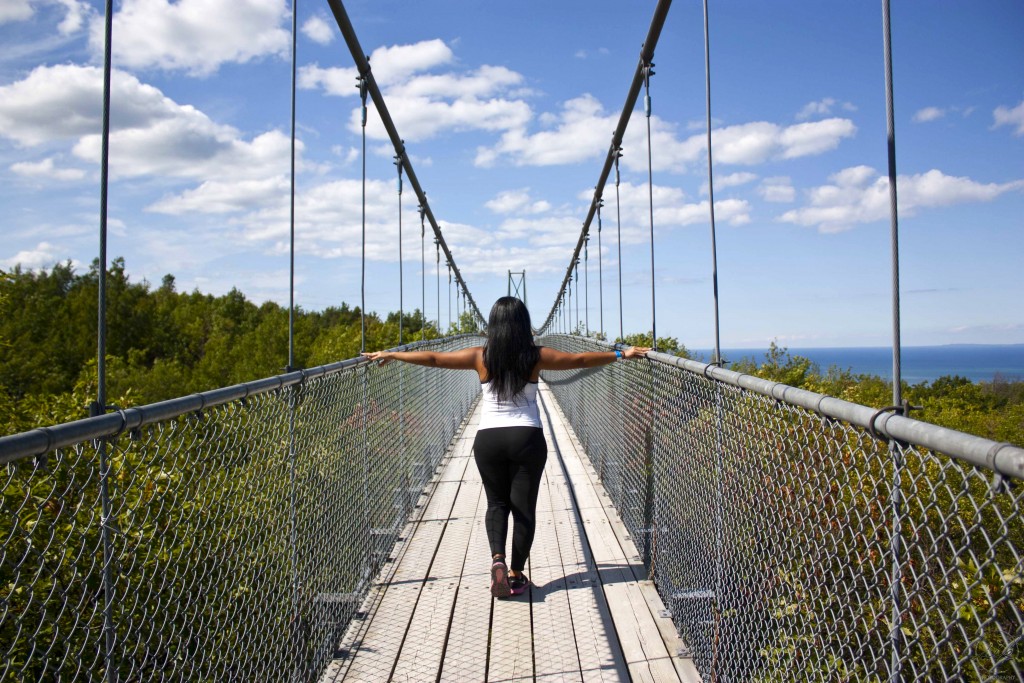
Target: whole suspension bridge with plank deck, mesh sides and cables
{"x":325,"y":525}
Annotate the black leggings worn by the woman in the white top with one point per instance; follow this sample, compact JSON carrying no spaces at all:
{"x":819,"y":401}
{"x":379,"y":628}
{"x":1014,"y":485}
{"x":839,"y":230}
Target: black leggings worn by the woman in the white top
{"x":511,"y":463}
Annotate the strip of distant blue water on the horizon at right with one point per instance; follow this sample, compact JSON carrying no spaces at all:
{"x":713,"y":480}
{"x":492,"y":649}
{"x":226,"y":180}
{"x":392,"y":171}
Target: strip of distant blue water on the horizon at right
{"x":978,"y":363}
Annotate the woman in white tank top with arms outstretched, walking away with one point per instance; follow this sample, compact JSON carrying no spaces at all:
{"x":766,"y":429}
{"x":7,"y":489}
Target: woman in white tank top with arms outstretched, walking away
{"x":509,"y":450}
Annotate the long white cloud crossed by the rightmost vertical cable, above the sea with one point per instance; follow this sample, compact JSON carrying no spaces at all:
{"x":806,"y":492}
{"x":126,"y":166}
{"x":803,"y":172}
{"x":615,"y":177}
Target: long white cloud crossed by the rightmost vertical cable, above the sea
{"x":861,"y":195}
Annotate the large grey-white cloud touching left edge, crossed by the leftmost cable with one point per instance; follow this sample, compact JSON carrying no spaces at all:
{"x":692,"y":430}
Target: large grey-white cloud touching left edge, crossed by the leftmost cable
{"x":151,"y":137}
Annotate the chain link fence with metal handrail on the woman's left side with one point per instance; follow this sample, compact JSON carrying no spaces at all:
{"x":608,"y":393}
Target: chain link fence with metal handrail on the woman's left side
{"x":227,"y":536}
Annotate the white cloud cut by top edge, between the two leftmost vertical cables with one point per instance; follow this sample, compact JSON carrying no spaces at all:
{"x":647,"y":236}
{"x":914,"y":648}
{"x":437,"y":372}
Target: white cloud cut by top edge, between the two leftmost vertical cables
{"x":195,"y":36}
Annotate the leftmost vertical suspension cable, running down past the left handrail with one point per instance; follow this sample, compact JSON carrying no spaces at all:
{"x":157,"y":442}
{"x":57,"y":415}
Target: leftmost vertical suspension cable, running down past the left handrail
{"x":100,"y":407}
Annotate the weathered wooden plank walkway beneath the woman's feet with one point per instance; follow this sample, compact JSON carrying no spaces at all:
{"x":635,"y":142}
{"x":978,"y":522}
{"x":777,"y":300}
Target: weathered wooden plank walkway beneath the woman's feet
{"x":590,"y":615}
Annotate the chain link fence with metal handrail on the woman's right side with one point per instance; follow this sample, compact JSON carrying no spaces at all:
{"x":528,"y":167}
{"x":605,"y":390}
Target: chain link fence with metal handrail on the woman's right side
{"x":788,"y":532}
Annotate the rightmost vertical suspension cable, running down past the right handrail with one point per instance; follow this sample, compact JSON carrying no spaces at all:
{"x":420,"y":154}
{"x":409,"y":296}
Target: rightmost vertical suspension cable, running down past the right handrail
{"x":894,"y":449}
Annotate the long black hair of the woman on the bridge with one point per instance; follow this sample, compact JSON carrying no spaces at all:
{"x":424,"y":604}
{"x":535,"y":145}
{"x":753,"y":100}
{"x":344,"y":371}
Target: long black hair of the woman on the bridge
{"x":509,"y":354}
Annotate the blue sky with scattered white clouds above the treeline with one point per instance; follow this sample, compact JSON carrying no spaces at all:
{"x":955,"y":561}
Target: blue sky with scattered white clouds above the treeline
{"x":507,"y":111}
